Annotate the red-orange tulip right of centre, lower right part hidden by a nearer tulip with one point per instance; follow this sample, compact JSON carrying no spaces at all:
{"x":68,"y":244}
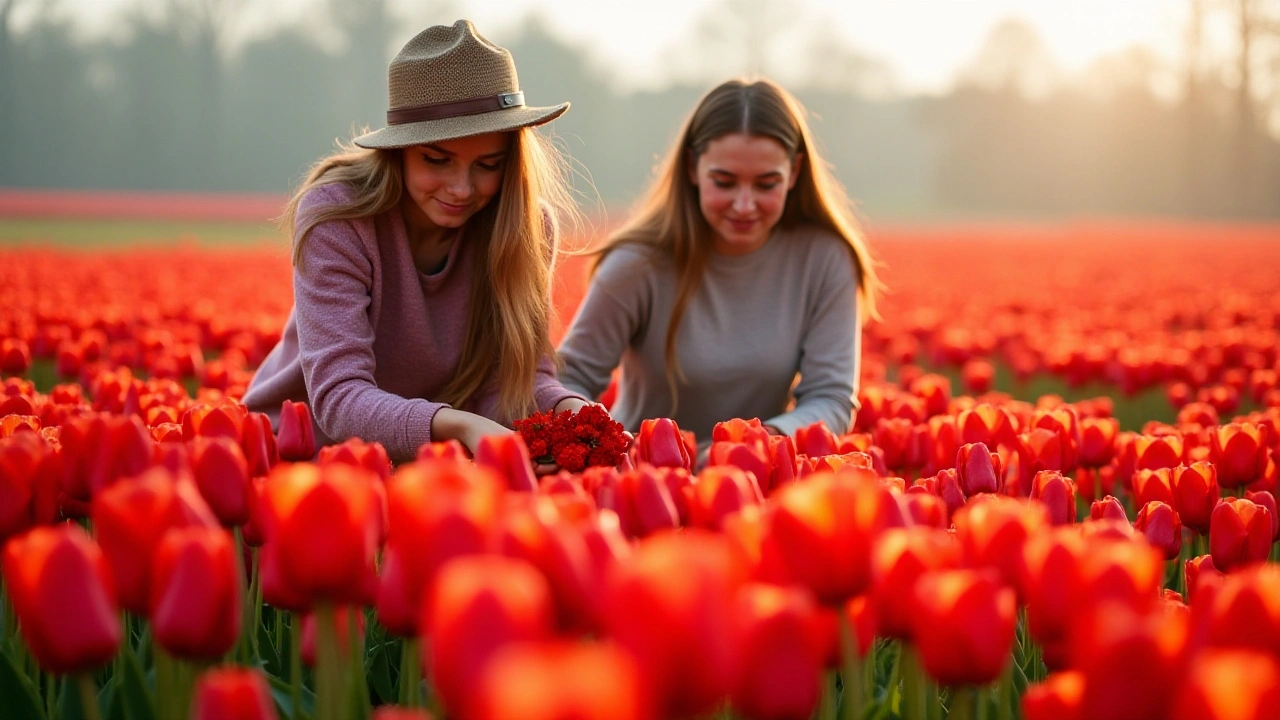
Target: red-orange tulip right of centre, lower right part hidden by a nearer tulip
{"x":899,"y":560}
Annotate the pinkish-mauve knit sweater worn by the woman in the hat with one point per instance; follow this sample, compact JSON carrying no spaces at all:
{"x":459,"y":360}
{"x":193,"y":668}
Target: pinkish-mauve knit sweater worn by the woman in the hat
{"x":371,"y":339}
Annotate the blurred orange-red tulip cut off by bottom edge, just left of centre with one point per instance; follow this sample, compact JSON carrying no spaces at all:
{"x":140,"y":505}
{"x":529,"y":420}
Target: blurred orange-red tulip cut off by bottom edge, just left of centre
{"x":559,"y":681}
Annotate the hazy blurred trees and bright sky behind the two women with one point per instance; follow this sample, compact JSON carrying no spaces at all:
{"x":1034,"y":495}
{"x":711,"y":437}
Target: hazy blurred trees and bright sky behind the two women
{"x":929,"y":110}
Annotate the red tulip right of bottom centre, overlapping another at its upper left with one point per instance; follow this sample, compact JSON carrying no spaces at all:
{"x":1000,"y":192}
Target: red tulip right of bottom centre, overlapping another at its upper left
{"x":964,"y":625}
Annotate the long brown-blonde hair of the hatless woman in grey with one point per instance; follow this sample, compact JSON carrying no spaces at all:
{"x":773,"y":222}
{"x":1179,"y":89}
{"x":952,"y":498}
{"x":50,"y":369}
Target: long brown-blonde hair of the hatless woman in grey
{"x":671,"y":221}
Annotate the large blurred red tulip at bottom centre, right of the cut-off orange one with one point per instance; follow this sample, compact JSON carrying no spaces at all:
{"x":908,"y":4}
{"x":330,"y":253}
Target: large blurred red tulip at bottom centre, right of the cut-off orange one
{"x":666,"y":608}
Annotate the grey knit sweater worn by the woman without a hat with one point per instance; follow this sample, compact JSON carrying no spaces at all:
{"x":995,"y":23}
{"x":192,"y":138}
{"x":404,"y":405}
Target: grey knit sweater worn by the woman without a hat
{"x":756,"y":322}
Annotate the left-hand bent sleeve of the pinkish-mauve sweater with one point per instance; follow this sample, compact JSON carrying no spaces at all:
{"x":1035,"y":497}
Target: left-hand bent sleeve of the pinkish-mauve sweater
{"x":332,"y":288}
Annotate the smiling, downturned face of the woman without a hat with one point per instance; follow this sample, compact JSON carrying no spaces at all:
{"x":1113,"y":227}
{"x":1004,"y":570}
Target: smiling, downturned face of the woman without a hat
{"x":743,"y":183}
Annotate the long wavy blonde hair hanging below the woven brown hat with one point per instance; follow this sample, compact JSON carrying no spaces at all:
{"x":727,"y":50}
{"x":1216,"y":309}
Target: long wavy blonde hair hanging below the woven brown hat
{"x":514,"y":238}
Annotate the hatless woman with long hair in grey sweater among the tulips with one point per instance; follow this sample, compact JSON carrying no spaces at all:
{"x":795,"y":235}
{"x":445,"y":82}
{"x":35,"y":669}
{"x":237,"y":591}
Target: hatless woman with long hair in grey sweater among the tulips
{"x":743,"y":270}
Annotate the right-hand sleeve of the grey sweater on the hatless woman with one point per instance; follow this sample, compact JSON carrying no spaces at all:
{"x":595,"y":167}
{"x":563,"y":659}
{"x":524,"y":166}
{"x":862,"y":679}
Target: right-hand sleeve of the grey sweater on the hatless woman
{"x":830,"y":350}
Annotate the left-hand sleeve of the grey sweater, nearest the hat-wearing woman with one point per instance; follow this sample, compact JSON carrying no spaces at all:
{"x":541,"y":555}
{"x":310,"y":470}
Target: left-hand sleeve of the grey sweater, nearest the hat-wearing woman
{"x":611,"y":316}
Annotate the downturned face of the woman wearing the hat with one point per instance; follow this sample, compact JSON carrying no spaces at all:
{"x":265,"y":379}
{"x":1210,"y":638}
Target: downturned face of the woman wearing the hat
{"x":447,"y":183}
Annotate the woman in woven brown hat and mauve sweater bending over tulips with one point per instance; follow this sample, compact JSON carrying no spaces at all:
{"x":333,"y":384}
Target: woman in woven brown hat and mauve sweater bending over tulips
{"x":423,"y":262}
